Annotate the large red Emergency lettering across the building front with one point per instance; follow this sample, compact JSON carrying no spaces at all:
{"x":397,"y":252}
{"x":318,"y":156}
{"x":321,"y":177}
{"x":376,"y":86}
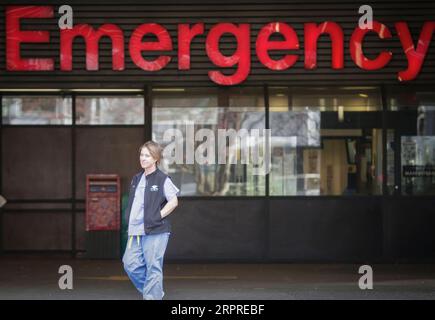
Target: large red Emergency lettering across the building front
{"x":240,"y":60}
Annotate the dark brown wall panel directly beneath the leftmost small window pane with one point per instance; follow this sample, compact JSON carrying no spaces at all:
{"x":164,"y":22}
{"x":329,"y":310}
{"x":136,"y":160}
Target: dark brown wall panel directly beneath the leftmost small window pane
{"x":36,"y":163}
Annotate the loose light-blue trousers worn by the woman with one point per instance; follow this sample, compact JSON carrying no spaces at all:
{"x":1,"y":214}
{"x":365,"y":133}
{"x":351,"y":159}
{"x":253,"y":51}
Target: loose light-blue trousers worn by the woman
{"x":143,"y":263}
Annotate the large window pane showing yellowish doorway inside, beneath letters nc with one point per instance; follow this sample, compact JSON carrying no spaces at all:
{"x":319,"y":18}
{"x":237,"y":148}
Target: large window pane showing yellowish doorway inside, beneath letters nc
{"x":325,"y":141}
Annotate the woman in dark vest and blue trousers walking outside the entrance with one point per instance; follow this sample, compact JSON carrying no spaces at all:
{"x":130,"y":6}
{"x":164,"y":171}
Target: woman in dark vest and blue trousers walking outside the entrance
{"x":152,"y":197}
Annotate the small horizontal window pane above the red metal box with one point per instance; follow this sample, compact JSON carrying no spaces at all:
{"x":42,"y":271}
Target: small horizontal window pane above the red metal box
{"x":110,"y":110}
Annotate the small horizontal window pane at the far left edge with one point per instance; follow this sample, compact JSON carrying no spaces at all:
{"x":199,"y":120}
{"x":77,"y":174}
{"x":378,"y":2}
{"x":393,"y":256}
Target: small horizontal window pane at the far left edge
{"x":39,"y":110}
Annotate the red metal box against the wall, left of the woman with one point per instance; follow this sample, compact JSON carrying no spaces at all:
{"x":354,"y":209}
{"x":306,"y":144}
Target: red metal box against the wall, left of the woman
{"x":103,"y":192}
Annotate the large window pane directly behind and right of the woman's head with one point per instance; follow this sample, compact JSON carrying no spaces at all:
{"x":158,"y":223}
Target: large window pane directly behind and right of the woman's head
{"x":190,"y":110}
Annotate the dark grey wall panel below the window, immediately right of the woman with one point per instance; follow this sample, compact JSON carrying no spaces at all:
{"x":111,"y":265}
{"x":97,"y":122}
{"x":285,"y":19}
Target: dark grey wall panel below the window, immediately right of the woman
{"x":217,"y":230}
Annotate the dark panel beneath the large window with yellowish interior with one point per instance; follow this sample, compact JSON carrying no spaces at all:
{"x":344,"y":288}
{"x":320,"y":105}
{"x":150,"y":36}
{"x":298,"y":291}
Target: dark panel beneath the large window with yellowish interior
{"x":326,"y":229}
